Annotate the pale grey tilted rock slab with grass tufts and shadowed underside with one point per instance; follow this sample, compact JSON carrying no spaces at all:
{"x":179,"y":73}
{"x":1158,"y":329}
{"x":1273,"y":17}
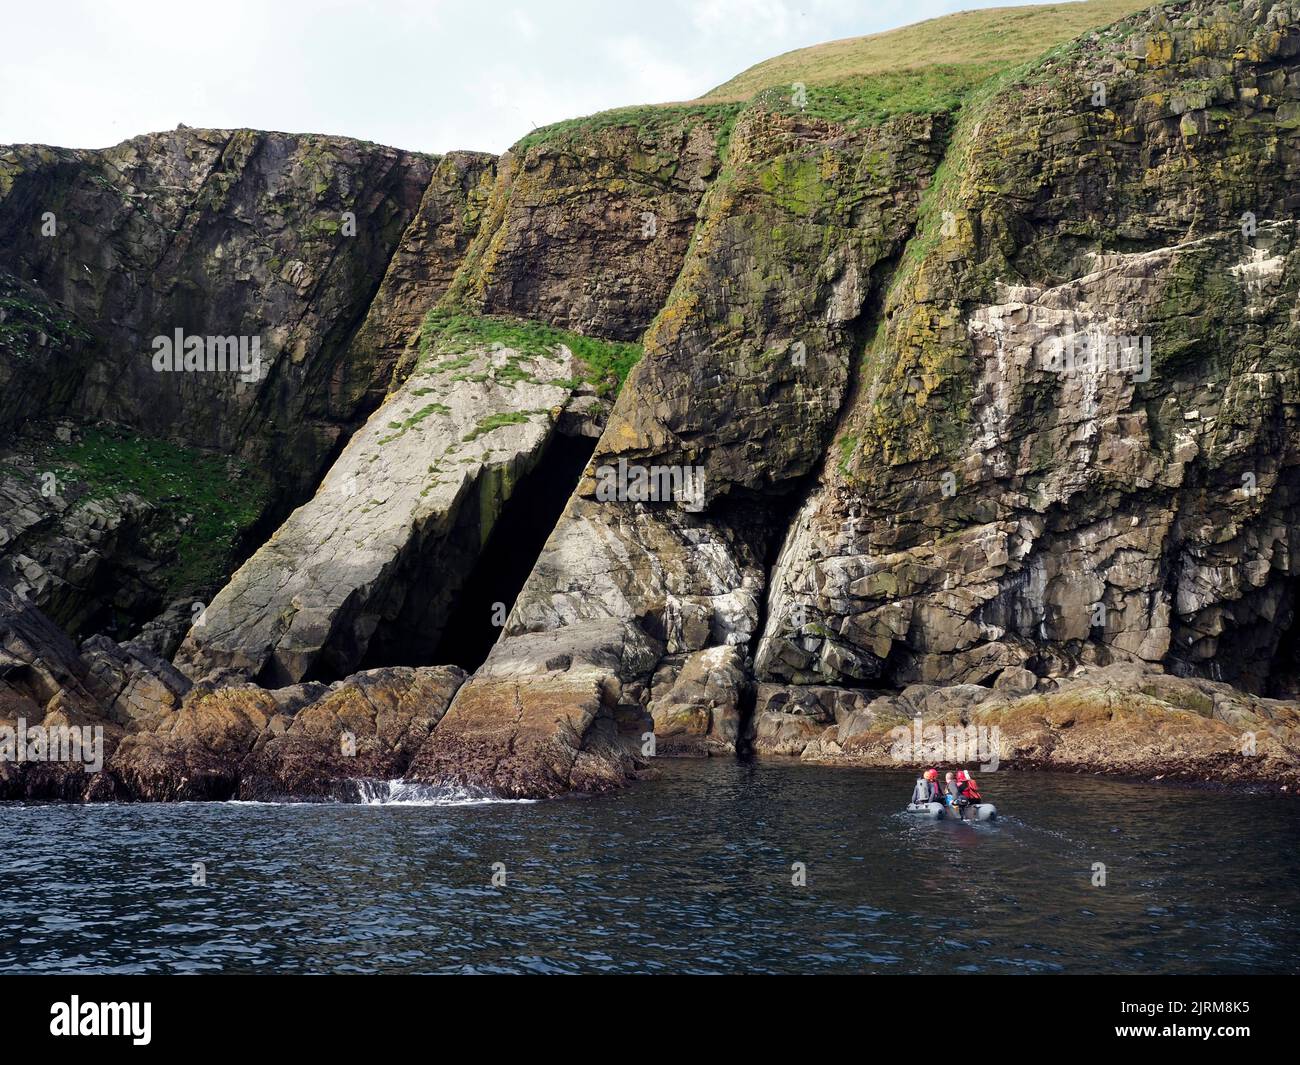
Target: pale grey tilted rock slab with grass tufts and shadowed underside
{"x":372,"y":562}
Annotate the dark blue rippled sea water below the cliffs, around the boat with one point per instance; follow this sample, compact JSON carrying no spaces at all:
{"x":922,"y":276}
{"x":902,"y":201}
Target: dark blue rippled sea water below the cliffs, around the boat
{"x":687,"y":873}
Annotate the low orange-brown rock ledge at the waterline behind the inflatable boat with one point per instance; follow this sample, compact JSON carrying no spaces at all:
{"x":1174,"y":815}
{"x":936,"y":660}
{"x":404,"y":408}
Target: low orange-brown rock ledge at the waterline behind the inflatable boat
{"x":1126,"y":720}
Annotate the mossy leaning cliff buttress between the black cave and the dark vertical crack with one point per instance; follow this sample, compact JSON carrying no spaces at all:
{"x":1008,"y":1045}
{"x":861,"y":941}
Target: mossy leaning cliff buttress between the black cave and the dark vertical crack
{"x":744,"y":374}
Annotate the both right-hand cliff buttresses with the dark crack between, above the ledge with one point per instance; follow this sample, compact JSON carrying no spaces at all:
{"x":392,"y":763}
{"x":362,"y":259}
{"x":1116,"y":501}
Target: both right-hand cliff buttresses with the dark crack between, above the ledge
{"x":983,"y":513}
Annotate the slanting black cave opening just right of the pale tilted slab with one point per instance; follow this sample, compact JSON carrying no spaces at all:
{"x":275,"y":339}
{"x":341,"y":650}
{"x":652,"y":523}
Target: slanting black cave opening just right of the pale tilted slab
{"x":510,"y":553}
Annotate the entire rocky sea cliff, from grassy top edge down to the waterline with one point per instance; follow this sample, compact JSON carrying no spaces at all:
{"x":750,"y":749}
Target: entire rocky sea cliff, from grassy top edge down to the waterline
{"x":963,"y":399}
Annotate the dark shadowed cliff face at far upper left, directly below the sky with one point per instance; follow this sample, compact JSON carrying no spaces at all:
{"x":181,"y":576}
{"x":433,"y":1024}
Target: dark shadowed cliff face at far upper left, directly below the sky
{"x":215,"y":233}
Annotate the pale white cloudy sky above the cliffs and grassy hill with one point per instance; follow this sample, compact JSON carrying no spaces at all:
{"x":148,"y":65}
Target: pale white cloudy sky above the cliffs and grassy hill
{"x":424,"y":75}
